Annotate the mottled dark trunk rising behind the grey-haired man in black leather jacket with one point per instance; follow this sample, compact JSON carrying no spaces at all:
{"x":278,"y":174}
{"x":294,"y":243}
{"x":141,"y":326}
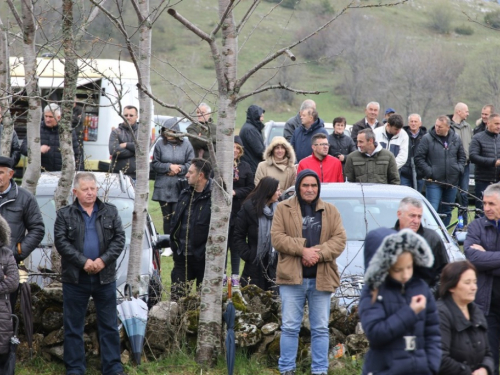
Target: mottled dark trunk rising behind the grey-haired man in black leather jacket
{"x":65,"y":132}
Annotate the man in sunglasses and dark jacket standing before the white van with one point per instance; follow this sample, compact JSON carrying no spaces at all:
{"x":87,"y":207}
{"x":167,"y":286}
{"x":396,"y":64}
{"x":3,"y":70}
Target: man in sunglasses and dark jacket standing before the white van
{"x":122,"y":145}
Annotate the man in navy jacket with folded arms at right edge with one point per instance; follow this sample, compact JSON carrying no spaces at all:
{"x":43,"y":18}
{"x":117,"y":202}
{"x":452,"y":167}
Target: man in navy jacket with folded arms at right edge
{"x":482,"y":249}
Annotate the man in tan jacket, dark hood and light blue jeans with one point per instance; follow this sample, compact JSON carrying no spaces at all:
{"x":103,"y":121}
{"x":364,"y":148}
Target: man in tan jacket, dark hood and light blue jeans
{"x":308,"y":235}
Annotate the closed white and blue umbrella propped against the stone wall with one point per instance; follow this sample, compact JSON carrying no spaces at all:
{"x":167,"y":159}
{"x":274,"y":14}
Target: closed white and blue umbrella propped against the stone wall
{"x":133,"y":312}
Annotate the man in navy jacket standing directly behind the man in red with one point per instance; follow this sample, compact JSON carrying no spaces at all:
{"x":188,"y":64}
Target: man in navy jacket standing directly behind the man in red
{"x":302,"y":136}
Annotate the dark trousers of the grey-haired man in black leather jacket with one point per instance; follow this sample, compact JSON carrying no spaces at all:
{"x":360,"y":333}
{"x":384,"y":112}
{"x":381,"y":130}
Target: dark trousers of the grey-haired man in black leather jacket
{"x":75,"y":302}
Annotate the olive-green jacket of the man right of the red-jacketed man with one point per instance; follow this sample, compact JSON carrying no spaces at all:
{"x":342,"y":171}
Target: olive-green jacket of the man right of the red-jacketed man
{"x":380,"y":167}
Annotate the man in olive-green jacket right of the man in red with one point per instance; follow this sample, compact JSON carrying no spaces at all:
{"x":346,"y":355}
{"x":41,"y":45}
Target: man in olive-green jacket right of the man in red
{"x":371,"y":162}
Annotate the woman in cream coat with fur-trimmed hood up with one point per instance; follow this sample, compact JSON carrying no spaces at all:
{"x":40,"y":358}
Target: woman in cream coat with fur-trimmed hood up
{"x":279,"y":163}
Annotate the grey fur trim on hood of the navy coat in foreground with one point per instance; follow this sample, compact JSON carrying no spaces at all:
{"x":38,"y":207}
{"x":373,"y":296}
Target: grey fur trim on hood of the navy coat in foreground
{"x":391,"y":248}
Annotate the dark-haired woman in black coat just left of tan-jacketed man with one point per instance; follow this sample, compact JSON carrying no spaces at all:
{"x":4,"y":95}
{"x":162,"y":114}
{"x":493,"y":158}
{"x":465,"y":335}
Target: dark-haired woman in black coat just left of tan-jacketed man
{"x":252,"y":237}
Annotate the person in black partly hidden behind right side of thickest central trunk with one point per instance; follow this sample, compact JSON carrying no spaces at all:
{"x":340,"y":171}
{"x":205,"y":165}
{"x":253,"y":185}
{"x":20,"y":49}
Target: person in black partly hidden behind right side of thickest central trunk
{"x":243,"y":184}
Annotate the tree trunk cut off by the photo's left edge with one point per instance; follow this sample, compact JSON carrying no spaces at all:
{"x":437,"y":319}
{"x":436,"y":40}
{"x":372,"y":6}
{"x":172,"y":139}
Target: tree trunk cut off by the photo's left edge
{"x":7,"y":128}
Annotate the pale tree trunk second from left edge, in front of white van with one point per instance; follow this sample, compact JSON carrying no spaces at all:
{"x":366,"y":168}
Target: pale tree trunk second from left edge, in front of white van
{"x":27,"y":24}
